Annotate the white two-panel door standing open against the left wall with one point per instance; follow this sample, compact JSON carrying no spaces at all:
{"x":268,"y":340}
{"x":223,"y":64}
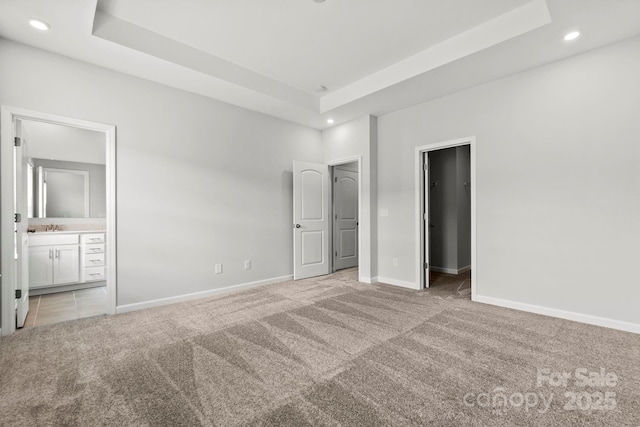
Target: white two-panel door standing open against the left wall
{"x":311,"y":187}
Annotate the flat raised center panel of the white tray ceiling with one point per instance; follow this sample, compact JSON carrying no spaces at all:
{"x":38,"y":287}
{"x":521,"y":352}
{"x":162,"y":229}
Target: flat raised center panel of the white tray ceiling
{"x":305,"y":44}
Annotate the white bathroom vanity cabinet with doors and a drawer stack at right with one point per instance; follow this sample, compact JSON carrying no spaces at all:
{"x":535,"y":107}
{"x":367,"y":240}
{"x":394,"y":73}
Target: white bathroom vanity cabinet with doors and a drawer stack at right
{"x":57,"y":259}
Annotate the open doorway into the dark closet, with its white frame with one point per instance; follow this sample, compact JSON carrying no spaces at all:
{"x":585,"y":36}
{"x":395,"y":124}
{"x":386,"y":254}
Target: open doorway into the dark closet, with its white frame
{"x":445,"y":199}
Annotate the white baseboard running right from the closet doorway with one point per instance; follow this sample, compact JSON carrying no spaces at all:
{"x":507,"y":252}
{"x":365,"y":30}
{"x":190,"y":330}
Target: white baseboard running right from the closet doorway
{"x":562,"y":314}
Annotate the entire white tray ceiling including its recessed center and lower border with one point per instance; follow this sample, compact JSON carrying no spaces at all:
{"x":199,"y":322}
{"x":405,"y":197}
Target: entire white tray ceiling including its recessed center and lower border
{"x":375,"y":56}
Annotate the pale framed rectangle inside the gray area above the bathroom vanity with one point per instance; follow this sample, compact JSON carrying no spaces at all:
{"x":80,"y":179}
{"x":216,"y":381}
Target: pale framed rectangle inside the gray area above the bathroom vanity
{"x":62,"y":193}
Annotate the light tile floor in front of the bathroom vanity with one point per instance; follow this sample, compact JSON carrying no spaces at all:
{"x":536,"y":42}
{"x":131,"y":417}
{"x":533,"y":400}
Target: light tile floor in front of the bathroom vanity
{"x":70,"y":305}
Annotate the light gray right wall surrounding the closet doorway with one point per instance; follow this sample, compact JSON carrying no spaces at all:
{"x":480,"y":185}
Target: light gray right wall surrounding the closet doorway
{"x":558,"y":179}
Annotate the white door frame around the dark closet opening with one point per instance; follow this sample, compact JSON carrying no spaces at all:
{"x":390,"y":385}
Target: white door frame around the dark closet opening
{"x":419,"y":198}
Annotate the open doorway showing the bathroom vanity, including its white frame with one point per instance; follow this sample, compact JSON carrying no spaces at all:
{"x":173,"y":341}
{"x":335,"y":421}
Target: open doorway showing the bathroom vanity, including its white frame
{"x":58,"y":200}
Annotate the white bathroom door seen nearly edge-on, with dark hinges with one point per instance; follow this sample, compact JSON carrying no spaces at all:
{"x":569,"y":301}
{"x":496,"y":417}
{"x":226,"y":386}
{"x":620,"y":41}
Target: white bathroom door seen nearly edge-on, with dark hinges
{"x":21,"y":162}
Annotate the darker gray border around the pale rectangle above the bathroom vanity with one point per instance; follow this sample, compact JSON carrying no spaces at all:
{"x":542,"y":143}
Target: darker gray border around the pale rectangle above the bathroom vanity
{"x":97,"y":183}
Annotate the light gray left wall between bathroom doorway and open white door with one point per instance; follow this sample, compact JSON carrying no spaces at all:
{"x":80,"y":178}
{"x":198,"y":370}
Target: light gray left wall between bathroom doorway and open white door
{"x":199,"y":181}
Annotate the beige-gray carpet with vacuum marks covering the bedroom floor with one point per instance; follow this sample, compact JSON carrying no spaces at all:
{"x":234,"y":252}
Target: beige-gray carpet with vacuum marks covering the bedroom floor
{"x":326,"y":351}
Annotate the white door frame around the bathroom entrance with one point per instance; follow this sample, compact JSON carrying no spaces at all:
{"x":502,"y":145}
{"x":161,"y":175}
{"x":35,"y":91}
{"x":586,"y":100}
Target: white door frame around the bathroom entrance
{"x":8,"y":115}
